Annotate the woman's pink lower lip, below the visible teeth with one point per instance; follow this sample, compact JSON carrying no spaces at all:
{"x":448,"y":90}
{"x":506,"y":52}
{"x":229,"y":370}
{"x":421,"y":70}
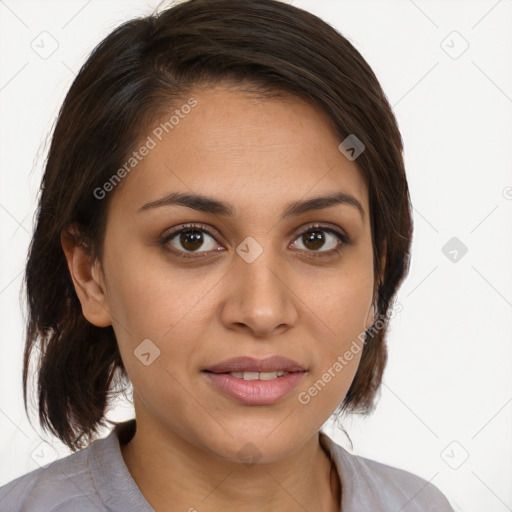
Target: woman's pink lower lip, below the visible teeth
{"x":255,"y":392}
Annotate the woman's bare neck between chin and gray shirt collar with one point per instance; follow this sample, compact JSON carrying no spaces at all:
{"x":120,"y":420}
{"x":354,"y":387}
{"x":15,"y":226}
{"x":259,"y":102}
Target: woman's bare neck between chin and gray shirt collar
{"x":170,"y":470}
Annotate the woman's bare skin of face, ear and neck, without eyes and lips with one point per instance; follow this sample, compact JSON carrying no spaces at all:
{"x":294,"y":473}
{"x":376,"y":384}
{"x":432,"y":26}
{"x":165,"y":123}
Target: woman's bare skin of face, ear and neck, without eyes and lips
{"x":258,"y":155}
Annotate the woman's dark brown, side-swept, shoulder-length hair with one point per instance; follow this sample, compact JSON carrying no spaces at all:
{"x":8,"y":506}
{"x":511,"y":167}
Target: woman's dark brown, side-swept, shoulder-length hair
{"x":140,"y":68}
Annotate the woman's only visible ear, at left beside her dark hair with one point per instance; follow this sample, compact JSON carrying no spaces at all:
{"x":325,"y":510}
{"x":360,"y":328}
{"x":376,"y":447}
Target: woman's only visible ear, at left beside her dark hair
{"x":87,"y":279}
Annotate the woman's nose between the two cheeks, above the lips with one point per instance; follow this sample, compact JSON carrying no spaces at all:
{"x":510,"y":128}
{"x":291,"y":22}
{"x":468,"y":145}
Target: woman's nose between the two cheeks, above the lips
{"x":260,"y":297}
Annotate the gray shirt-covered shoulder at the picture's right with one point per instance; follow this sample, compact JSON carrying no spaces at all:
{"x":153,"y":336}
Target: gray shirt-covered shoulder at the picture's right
{"x":372,"y":485}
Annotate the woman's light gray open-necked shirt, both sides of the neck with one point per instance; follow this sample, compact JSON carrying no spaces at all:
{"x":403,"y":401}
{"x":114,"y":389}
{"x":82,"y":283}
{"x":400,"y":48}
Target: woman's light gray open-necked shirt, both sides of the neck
{"x":97,"y":479}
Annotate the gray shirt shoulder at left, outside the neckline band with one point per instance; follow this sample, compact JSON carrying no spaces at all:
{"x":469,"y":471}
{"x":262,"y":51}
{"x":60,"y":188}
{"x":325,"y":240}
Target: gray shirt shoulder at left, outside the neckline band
{"x":65,"y":484}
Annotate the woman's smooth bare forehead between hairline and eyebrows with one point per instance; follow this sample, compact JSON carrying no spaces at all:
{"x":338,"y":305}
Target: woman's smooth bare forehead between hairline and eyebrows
{"x":249,"y":151}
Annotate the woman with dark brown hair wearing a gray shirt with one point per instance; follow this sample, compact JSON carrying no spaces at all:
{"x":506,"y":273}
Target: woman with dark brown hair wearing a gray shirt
{"x":224,"y":222}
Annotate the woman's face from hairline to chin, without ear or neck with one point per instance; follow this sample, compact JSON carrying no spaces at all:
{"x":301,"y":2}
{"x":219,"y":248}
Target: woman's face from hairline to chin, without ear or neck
{"x":250,"y":283}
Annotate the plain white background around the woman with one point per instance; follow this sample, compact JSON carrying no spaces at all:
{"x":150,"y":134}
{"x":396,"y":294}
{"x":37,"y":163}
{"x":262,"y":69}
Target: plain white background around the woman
{"x":447,"y":392}
